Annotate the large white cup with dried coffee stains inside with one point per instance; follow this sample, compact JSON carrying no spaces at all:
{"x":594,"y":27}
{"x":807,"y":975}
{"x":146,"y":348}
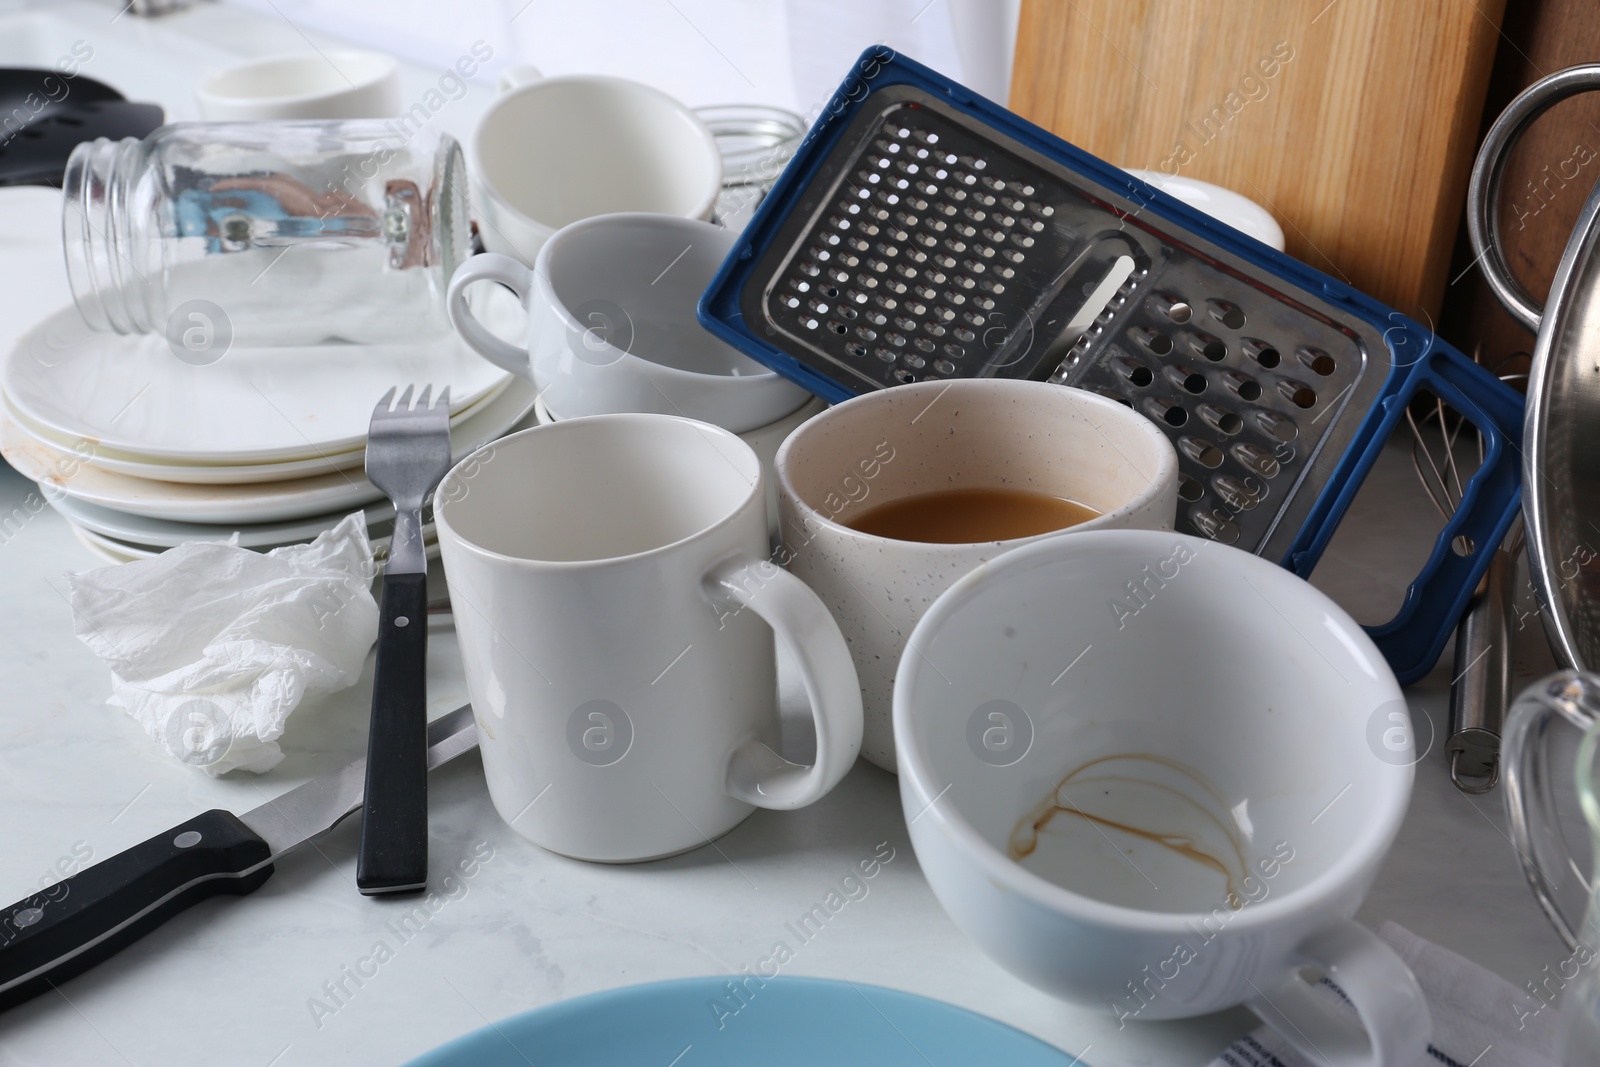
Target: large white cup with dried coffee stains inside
{"x":1122,"y":684}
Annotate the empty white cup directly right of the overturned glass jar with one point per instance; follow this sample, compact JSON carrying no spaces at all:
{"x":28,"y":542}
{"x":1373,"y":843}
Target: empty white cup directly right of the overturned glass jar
{"x":554,"y":151}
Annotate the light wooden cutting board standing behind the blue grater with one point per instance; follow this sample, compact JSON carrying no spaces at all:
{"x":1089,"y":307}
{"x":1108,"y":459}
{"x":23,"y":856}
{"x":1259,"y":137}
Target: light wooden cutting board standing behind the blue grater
{"x":1353,"y":121}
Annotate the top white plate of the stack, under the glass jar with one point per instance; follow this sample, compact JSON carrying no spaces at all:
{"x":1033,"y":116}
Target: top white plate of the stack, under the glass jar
{"x":134,"y":398}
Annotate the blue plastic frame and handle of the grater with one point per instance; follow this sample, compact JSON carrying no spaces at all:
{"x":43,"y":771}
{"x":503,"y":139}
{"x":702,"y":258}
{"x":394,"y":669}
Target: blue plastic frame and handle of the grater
{"x":1436,"y":599}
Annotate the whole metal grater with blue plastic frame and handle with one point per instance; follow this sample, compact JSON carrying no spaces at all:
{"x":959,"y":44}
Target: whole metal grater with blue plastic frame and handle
{"x":924,"y":233}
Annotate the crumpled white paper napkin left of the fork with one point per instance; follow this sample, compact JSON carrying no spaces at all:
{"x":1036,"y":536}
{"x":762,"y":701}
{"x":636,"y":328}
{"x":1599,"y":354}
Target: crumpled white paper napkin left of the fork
{"x":212,"y":645}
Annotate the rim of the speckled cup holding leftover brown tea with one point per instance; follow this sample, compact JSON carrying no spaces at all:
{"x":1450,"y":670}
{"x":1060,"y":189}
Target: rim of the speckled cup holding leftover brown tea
{"x":818,"y":425}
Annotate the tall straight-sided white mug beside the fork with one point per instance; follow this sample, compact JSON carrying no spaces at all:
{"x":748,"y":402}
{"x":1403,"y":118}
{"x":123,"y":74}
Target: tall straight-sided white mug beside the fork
{"x":617,"y":612}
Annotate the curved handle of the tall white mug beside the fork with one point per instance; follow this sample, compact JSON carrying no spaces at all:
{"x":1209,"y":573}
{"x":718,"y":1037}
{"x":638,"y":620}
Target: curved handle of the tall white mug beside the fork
{"x":758,"y":775}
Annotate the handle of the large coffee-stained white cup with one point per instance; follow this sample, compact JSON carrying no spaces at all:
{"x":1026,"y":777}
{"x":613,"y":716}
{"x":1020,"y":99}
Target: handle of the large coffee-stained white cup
{"x":1378,"y":985}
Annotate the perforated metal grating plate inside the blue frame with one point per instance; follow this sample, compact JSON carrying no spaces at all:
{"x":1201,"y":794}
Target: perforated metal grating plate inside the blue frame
{"x":940,"y":252}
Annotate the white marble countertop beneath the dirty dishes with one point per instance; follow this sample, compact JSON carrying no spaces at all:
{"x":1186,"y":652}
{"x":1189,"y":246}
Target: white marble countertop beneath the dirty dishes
{"x":254,"y":981}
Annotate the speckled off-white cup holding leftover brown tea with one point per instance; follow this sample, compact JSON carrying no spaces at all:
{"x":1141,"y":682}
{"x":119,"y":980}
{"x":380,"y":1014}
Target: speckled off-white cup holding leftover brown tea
{"x":948,"y":436}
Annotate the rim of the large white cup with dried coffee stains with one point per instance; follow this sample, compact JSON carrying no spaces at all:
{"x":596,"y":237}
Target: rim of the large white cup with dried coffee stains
{"x":1002,"y":871}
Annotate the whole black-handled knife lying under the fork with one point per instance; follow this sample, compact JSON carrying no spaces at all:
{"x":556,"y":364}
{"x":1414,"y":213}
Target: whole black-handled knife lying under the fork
{"x":86,"y":919}
